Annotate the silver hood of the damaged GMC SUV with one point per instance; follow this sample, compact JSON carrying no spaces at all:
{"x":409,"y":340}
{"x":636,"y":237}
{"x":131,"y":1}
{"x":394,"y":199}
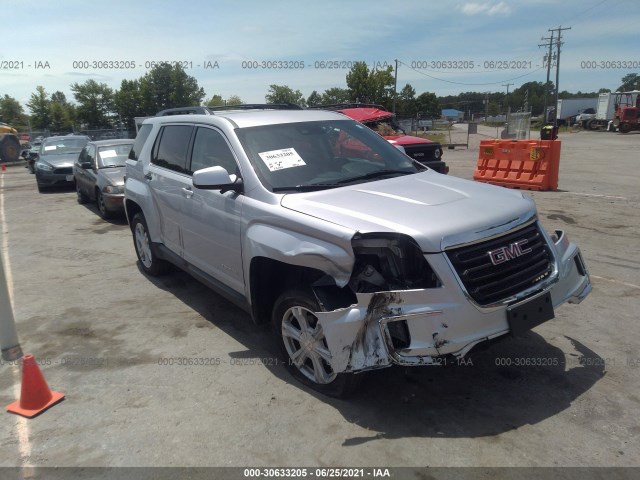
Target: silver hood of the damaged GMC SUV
{"x":435,"y":210}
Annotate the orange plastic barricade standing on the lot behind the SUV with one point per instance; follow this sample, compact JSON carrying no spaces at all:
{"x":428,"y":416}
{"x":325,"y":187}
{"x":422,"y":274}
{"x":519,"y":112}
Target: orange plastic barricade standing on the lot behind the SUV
{"x":525,"y":164}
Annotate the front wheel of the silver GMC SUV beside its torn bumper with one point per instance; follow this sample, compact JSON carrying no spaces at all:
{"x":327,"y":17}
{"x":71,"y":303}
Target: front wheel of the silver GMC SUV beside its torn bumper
{"x":302,"y":340}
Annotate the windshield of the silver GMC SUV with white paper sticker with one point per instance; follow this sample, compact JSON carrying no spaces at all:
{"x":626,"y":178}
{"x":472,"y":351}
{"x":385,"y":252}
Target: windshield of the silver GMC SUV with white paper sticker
{"x":317,"y":155}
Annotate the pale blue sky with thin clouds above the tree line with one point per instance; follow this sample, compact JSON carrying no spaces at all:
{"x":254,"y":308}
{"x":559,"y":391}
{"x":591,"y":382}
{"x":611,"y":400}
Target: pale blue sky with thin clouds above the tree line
{"x":242,"y":47}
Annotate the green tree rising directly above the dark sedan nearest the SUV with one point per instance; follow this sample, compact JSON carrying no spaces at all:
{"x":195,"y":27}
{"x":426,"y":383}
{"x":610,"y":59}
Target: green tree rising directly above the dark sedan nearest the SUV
{"x":95,"y":104}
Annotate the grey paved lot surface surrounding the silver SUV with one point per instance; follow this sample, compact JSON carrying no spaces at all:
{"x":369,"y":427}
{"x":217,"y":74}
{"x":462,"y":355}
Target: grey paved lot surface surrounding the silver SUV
{"x":112,"y":339}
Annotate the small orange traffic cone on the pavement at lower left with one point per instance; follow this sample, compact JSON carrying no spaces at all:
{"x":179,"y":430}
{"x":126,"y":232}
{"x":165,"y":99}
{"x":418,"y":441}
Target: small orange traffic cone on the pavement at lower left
{"x":35,"y":395}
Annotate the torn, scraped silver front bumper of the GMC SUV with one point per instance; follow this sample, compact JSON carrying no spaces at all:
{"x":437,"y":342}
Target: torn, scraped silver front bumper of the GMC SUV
{"x":419,"y":327}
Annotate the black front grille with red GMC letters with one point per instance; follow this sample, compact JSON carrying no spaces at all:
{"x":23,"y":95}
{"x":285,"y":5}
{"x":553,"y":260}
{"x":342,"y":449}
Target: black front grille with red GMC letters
{"x":487,"y":283}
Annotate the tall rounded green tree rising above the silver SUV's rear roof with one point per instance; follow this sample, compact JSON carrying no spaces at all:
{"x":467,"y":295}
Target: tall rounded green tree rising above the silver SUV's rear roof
{"x":168,"y":86}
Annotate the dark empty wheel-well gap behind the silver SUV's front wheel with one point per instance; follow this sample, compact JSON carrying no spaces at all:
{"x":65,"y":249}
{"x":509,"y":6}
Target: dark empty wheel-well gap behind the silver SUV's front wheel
{"x":269,"y":278}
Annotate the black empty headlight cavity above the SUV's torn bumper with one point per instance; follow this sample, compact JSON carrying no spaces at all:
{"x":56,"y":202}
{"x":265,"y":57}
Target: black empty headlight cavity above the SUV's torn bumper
{"x":387,"y":262}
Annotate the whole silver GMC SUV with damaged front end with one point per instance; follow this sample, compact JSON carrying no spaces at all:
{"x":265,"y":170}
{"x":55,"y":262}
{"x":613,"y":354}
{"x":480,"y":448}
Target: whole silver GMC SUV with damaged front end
{"x":359,"y":262}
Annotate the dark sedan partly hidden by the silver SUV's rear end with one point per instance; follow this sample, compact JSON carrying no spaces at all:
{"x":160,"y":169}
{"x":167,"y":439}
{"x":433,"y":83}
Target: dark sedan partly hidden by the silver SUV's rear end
{"x":99,"y":175}
